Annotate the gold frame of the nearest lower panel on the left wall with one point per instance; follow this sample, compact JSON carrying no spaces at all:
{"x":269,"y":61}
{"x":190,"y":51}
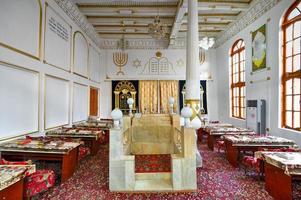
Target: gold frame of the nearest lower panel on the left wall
{"x":18,"y":67}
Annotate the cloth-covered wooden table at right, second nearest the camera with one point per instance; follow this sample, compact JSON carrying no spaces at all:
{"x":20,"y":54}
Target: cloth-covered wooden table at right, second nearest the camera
{"x":242,"y":143}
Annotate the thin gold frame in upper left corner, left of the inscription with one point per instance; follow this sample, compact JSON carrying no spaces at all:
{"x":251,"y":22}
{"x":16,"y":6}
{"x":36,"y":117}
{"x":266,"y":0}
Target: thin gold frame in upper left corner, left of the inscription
{"x":15,"y":49}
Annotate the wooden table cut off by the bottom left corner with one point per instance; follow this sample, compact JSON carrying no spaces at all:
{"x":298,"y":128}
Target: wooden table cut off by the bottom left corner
{"x":12,"y":188}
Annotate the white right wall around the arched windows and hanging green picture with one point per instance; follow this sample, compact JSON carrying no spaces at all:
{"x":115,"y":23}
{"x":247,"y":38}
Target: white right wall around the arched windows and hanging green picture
{"x":268,"y":90}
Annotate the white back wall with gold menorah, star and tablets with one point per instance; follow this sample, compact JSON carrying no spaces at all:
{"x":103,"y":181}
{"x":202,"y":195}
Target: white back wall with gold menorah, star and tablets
{"x":177,"y":62}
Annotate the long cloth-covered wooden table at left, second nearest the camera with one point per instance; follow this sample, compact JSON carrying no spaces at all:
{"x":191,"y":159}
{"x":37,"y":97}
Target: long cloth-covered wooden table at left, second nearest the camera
{"x":67,"y":157}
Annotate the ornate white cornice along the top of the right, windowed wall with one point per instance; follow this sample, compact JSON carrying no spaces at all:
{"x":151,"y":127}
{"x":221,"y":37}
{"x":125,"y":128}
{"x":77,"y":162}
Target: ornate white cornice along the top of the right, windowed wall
{"x":259,"y":8}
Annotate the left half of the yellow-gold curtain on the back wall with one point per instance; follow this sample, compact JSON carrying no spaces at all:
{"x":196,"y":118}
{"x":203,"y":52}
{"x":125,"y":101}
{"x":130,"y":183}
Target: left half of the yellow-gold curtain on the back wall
{"x":148,"y":96}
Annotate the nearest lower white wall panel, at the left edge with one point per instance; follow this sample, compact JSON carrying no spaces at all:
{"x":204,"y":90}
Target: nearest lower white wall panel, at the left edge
{"x":19,"y":101}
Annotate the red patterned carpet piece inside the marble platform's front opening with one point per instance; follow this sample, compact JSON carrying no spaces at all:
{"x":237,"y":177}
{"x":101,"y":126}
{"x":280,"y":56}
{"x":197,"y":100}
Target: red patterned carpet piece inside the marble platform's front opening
{"x":152,"y":163}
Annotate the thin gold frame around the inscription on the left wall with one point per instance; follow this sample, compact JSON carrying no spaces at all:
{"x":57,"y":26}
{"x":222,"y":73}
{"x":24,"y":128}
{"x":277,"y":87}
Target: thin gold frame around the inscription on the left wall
{"x":44,"y":60}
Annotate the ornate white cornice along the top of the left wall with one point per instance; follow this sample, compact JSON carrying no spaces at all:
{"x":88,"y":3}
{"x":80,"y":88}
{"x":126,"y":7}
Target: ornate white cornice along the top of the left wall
{"x":74,"y":13}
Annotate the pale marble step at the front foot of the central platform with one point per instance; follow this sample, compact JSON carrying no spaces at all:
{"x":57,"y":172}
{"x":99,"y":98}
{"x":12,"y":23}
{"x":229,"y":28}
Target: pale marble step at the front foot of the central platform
{"x":154,"y":185}
